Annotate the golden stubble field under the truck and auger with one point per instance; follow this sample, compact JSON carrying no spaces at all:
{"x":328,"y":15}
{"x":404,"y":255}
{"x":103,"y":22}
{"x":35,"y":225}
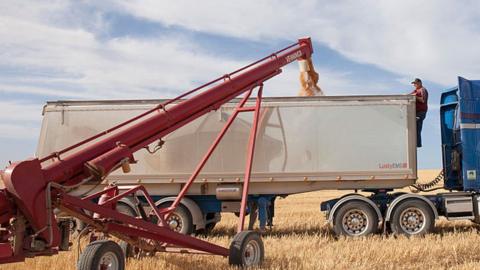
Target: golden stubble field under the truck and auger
{"x":300,"y":239}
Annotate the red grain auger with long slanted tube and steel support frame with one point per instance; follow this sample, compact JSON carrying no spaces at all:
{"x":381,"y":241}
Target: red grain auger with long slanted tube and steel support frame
{"x":34,"y":188}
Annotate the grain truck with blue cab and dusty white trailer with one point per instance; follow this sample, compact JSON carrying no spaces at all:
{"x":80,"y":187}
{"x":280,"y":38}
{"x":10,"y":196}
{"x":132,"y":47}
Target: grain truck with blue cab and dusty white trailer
{"x":358,"y":143}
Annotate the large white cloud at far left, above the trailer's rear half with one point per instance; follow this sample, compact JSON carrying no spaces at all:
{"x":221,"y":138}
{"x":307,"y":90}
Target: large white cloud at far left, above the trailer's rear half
{"x":49,"y":54}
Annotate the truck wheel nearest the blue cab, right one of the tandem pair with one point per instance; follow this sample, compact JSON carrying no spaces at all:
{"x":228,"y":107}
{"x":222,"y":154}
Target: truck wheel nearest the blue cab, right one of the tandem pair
{"x":412,"y":217}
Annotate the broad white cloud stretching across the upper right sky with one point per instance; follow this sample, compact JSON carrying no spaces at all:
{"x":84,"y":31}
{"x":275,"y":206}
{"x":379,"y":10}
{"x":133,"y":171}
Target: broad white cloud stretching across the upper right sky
{"x":432,"y":39}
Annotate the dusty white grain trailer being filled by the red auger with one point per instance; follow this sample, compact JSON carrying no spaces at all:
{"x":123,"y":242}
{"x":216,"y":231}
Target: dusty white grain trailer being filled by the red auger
{"x":303,"y":144}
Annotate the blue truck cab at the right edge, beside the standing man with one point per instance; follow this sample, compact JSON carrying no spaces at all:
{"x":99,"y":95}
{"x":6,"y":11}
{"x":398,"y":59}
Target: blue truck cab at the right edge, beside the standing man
{"x":460,"y":130}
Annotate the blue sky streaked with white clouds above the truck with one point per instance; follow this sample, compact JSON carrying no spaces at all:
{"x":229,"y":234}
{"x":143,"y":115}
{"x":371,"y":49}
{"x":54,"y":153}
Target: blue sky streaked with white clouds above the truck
{"x":141,"y":49}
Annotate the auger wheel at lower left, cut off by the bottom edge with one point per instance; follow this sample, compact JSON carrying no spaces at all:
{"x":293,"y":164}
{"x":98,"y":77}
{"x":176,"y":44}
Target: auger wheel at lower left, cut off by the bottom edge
{"x":102,"y":254}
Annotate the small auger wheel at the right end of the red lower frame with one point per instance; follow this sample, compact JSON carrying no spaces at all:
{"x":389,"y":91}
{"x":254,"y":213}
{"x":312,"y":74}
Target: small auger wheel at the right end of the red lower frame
{"x":246,"y":249}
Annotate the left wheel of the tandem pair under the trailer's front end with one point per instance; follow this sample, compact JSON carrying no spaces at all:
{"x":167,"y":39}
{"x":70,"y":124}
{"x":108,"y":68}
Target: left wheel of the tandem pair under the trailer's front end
{"x":354,"y":219}
